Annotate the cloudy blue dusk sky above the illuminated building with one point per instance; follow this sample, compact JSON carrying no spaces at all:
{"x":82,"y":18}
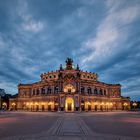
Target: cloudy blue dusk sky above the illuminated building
{"x":101,"y":36}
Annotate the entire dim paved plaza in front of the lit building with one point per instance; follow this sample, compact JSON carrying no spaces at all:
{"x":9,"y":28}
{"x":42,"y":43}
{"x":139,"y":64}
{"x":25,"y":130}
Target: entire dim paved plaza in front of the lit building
{"x":70,"y":126}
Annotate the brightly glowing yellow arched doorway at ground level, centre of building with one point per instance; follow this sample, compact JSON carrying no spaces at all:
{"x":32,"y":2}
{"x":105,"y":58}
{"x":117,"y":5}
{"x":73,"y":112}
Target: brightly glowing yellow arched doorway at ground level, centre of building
{"x":69,"y":104}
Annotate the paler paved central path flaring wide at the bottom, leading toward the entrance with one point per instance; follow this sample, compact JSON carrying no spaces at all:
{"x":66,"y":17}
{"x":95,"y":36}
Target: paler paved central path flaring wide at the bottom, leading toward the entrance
{"x":69,"y":127}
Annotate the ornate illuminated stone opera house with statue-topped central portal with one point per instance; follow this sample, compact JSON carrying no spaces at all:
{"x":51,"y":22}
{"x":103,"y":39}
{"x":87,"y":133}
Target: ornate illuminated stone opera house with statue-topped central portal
{"x":69,"y":89}
